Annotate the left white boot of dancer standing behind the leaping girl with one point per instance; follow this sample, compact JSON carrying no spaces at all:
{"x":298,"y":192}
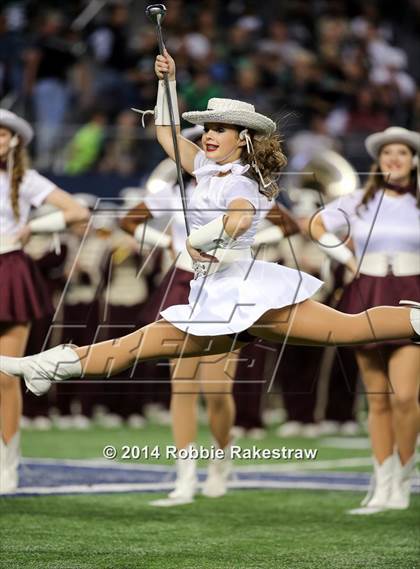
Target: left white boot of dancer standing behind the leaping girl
{"x":186,"y":483}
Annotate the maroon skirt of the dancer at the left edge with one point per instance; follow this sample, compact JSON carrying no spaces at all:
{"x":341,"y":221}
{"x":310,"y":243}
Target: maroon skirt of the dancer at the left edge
{"x":24,"y":295}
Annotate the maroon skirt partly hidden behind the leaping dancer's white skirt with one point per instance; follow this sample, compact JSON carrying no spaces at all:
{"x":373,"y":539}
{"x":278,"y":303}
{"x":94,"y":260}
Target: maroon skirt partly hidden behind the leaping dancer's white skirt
{"x":174,"y":289}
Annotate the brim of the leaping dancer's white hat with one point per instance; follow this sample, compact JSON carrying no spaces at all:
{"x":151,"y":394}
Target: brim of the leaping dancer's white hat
{"x":255,"y":121}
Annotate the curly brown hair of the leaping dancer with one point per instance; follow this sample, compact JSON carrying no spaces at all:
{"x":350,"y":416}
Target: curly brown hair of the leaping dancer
{"x":269,"y":156}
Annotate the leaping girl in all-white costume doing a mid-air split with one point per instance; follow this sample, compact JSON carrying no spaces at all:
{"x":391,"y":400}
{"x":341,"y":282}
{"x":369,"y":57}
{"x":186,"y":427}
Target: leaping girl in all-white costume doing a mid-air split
{"x":233,"y":298}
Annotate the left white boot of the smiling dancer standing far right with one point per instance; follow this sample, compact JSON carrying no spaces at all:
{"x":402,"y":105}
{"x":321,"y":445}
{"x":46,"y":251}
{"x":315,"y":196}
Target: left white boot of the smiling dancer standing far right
{"x":378,"y":496}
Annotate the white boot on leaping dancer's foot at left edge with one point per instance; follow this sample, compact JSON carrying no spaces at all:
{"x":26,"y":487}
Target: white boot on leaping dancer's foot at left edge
{"x":38,"y":371}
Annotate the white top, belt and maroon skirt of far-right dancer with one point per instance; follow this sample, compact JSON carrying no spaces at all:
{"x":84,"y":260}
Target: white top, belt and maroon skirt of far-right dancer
{"x":386,"y":237}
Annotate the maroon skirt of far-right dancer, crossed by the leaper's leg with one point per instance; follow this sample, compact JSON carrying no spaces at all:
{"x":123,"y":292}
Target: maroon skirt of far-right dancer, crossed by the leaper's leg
{"x":366,"y":292}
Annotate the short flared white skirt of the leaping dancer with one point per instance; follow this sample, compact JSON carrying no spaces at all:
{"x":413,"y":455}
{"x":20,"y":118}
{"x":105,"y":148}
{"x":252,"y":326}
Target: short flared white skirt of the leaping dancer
{"x":233,"y":298}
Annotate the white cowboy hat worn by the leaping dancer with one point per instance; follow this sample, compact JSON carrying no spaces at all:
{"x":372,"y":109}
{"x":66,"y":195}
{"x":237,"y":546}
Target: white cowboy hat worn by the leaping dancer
{"x":230,"y":111}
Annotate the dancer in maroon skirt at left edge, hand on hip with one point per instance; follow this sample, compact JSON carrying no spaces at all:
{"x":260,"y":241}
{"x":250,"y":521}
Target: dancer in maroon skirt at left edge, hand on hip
{"x":24,"y":296}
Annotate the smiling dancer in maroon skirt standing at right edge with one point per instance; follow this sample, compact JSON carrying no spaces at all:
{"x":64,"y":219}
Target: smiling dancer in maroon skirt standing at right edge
{"x":384,"y":222}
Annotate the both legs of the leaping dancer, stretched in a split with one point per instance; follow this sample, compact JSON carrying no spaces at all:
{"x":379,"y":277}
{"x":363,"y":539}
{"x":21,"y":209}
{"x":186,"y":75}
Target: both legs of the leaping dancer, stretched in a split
{"x":306,"y":323}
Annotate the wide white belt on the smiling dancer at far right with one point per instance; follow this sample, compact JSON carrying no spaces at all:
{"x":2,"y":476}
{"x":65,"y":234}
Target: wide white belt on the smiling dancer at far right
{"x":397,"y":264}
